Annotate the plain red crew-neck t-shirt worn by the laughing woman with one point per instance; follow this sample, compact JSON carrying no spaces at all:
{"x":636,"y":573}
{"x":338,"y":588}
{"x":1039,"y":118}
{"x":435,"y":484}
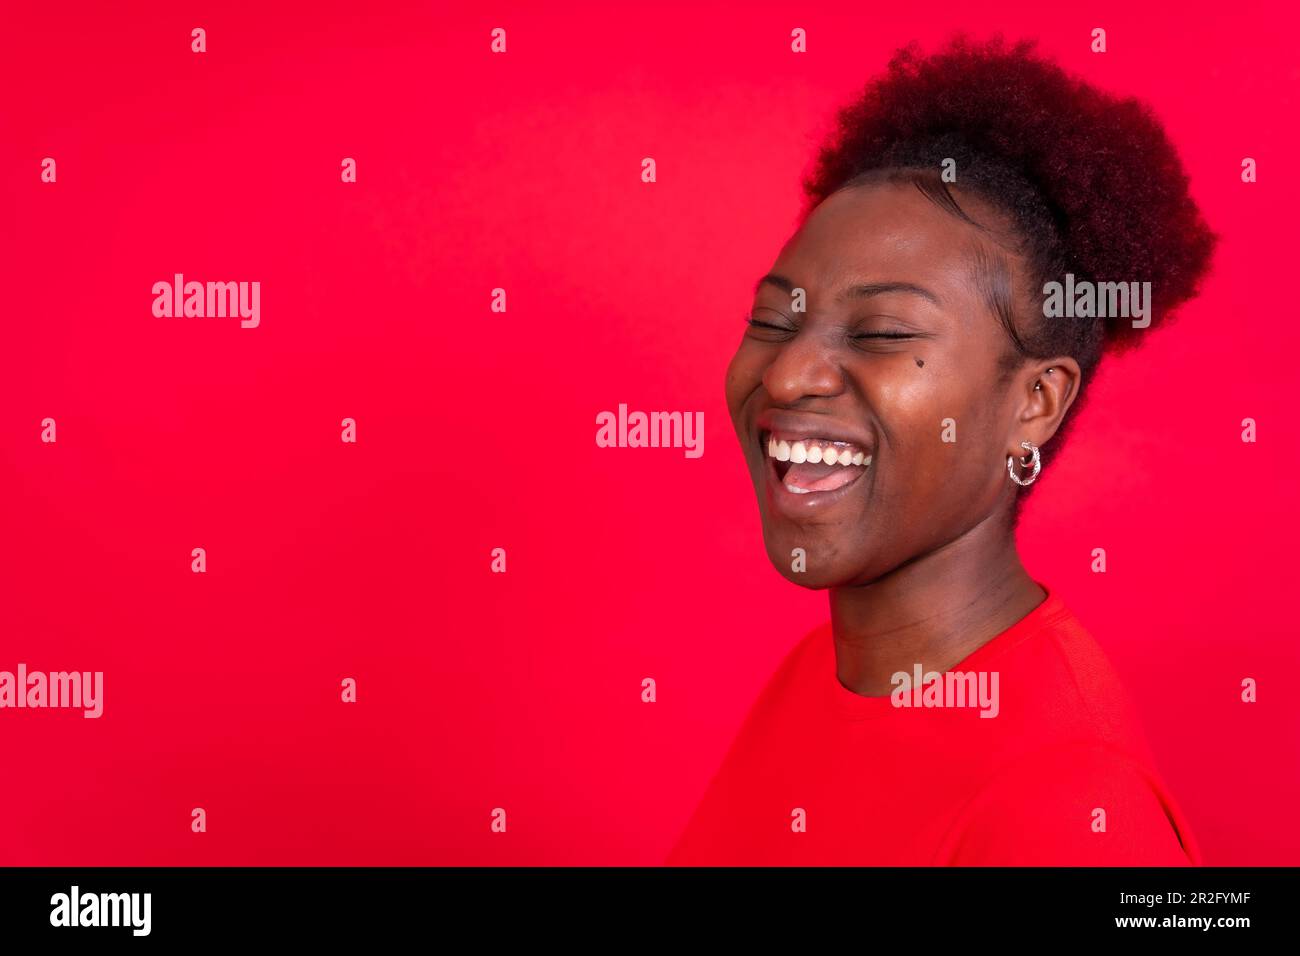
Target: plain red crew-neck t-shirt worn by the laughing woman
{"x":1060,"y":776}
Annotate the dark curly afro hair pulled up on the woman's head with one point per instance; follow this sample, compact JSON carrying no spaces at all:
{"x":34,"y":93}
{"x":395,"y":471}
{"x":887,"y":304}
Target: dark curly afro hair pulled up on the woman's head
{"x":1090,"y":183}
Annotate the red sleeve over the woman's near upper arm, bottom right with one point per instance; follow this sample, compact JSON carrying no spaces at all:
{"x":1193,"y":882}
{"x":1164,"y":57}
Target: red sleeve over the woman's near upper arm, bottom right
{"x":1080,"y":806}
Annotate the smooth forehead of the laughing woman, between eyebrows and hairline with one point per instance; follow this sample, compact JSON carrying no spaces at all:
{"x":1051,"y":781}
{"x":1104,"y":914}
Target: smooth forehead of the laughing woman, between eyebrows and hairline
{"x":882,"y":233}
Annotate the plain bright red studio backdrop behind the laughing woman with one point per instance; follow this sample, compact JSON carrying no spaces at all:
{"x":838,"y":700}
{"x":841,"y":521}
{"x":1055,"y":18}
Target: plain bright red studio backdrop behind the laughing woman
{"x":476,"y":430}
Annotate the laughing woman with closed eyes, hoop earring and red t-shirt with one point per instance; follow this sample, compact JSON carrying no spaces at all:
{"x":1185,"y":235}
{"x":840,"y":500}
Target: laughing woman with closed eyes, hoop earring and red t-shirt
{"x":904,"y":377}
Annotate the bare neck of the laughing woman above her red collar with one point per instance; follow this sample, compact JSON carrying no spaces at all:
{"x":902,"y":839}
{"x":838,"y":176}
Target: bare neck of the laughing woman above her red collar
{"x":933,"y":611}
